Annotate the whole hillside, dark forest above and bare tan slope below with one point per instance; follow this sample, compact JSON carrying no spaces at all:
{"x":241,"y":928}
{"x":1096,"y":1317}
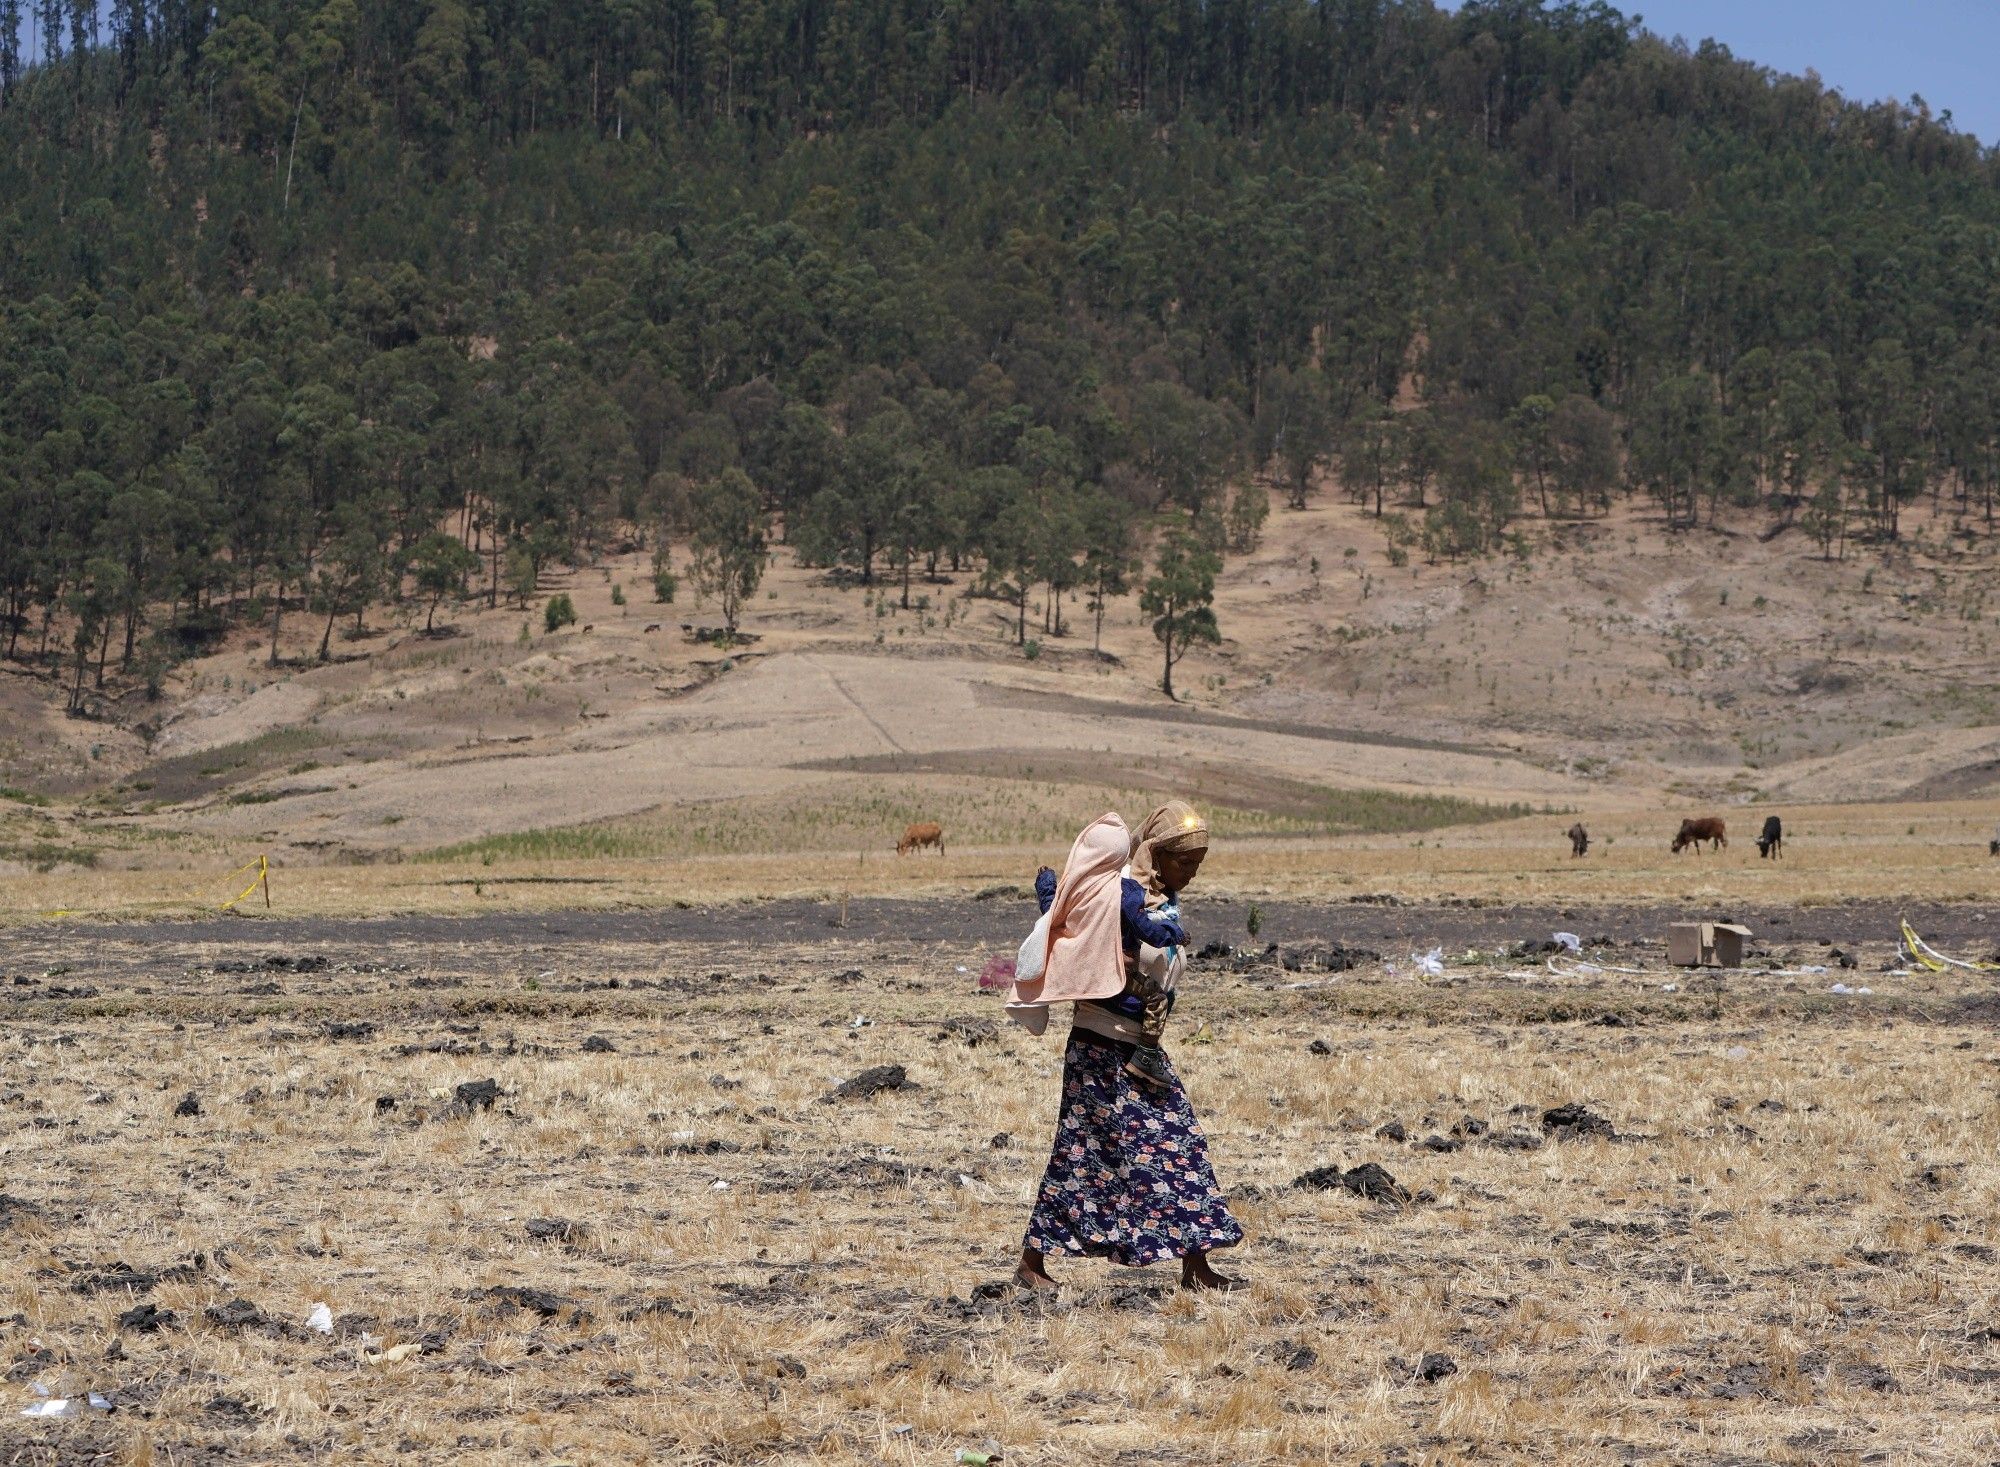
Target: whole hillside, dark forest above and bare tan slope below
{"x":1547,"y":417}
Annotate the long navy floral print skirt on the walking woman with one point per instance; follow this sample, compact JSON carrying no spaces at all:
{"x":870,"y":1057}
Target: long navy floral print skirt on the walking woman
{"x":1129,"y":1176}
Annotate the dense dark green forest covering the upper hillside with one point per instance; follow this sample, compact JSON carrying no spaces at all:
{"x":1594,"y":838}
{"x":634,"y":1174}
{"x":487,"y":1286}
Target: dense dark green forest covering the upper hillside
{"x":319,"y":305}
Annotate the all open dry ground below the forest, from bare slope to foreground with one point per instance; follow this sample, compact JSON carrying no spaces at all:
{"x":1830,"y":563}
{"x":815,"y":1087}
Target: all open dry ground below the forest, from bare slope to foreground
{"x":647,"y":888}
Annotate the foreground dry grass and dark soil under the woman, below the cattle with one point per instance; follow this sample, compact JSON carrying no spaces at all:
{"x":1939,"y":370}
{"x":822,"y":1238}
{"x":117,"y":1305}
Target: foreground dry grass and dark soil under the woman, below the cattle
{"x":661,"y":1244}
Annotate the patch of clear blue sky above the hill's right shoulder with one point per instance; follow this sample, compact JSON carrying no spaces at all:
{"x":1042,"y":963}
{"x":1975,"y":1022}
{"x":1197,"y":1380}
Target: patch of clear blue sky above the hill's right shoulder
{"x":1945,"y":51}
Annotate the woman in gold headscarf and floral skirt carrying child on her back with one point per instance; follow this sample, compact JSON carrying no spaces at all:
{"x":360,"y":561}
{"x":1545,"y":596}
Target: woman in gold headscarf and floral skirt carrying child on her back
{"x":1129,"y":1172}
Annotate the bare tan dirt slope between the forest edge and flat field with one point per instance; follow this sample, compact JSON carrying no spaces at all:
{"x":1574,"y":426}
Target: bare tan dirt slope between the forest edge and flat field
{"x":1615,"y":669}
